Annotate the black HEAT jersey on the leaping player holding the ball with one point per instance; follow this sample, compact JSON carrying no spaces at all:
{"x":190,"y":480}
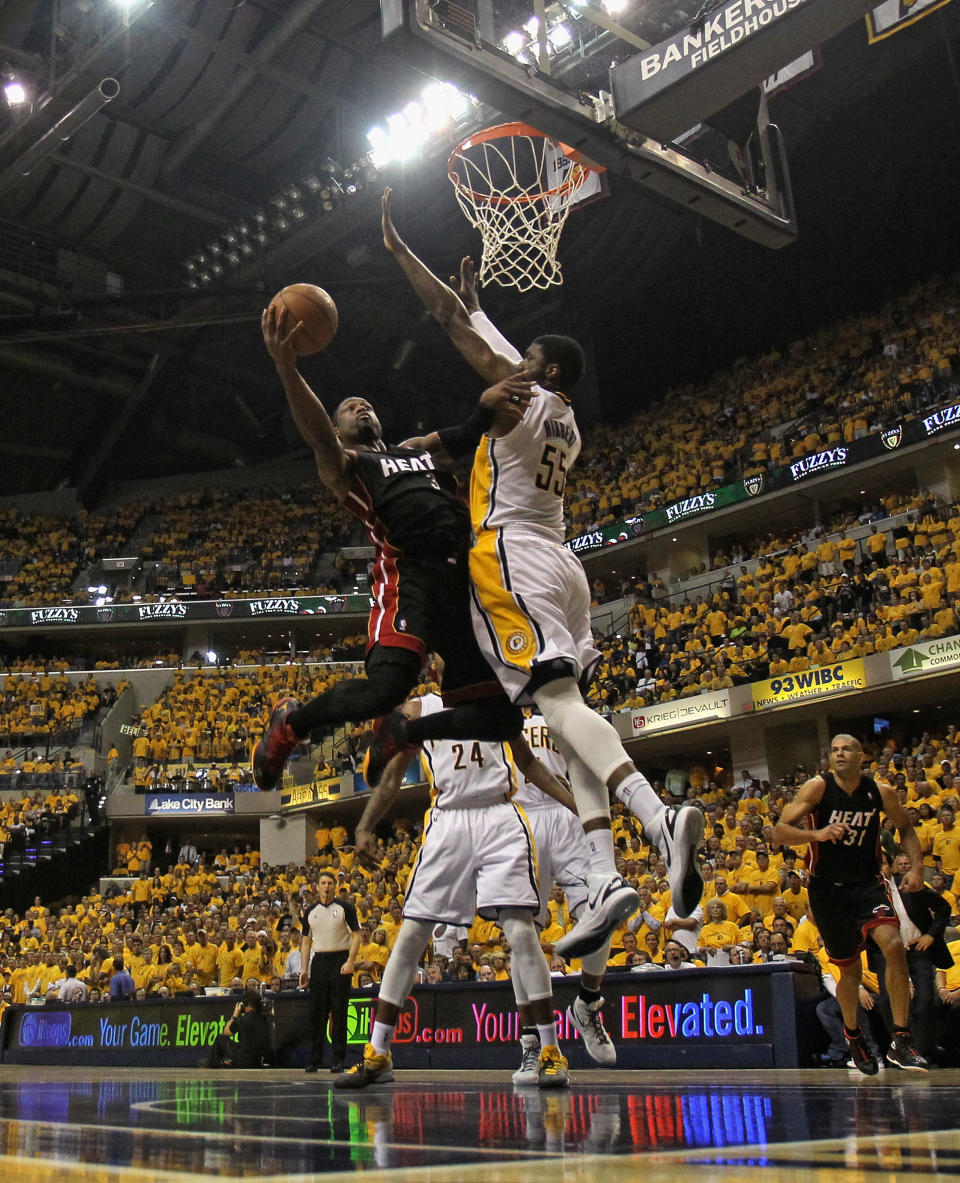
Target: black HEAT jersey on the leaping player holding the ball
{"x":408,"y":505}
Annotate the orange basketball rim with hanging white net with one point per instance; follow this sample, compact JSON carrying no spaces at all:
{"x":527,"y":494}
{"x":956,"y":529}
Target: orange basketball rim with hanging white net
{"x":517,"y":186}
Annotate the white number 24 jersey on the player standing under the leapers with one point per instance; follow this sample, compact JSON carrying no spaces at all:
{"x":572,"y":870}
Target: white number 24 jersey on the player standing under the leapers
{"x":466,"y":774}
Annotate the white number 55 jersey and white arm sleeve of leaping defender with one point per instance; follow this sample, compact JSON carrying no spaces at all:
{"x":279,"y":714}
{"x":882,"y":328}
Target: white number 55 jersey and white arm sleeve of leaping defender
{"x":519,"y":480}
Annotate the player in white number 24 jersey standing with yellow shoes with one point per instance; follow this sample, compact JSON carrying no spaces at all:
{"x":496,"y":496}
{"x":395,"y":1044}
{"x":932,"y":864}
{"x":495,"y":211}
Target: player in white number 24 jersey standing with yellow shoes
{"x":478,"y":857}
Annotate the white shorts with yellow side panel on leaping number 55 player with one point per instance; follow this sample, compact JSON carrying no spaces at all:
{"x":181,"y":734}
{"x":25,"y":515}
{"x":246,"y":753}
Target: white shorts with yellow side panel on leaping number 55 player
{"x":531,"y":606}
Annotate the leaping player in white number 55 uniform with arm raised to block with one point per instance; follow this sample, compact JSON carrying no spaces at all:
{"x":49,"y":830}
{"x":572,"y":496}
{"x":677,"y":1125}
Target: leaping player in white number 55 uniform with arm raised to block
{"x":532,"y":602}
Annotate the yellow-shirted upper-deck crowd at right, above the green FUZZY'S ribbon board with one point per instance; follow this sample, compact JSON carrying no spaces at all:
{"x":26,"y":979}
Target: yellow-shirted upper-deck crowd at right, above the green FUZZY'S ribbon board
{"x":836,"y":385}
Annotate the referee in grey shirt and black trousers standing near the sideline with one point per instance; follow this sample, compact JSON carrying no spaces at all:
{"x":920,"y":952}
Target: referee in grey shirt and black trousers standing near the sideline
{"x":332,"y":935}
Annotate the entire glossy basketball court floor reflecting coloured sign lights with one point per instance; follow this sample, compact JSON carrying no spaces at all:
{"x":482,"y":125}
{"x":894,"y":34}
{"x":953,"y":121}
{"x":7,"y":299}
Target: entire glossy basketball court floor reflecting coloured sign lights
{"x":281,"y":1127}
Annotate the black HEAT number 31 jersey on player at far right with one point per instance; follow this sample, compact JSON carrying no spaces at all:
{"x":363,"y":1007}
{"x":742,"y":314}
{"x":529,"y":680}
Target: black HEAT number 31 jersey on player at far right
{"x":858,"y":855}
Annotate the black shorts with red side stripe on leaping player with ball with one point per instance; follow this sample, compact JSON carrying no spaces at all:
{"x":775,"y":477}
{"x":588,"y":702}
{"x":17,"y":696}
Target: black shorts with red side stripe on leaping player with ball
{"x":424,"y":605}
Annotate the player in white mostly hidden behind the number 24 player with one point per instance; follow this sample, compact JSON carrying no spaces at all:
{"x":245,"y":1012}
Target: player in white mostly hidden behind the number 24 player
{"x":564,"y":859}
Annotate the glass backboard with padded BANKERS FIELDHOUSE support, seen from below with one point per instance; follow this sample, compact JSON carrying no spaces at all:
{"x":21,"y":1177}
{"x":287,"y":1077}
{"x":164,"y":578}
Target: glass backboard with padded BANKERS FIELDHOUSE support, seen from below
{"x":669,"y":93}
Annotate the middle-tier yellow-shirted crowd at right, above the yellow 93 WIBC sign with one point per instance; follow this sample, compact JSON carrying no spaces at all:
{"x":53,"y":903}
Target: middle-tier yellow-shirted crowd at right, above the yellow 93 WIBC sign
{"x":811,"y":603}
